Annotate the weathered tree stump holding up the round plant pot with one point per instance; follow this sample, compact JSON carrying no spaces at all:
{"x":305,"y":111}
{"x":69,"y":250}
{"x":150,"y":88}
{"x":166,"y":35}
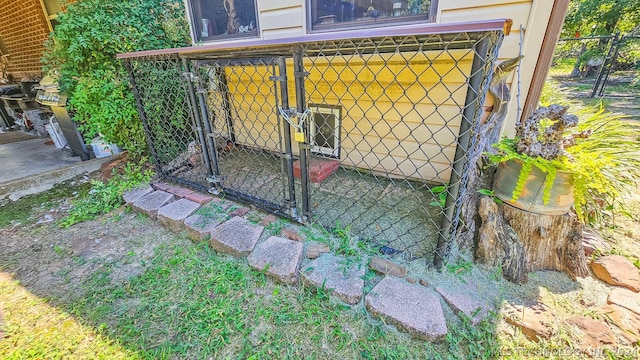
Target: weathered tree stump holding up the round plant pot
{"x":521,"y":241}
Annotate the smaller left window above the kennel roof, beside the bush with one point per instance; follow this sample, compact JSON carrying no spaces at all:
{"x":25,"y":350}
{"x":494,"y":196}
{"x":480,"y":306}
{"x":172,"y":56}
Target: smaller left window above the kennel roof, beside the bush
{"x":216,"y":19}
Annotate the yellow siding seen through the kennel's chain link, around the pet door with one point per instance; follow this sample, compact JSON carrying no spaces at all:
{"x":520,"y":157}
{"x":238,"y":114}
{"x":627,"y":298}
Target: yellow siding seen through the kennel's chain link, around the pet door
{"x":383,"y":104}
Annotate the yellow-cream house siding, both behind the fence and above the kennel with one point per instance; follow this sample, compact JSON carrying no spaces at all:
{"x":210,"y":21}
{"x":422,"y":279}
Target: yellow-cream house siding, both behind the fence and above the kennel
{"x":385,"y":102}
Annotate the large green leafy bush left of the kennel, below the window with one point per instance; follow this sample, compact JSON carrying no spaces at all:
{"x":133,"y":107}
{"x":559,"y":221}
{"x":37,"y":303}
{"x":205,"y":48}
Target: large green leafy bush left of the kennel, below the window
{"x":81,"y":53}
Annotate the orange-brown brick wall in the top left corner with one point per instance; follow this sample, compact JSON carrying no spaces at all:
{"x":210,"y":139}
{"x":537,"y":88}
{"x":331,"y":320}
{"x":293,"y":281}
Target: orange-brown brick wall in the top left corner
{"x":23,"y":30}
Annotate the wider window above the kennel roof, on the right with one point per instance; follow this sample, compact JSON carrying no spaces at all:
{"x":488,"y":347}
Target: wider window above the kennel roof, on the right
{"x":327,"y":15}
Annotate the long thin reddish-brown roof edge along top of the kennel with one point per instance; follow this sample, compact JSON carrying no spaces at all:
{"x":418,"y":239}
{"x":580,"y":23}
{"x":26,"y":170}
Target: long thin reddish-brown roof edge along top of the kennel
{"x":421,"y":29}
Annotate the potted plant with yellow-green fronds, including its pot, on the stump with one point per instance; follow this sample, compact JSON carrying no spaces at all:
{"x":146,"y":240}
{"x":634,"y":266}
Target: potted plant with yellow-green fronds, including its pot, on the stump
{"x":559,"y":160}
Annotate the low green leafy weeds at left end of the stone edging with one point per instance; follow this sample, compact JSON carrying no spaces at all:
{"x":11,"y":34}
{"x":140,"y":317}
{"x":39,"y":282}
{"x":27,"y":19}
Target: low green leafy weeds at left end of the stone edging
{"x":106,"y":196}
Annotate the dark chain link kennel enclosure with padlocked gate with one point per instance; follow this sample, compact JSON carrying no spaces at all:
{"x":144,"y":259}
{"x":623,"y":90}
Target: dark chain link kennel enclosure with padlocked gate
{"x":371,"y":136}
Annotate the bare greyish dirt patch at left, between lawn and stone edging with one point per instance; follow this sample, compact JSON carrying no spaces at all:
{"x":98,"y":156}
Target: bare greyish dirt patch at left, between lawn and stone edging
{"x":53,"y":262}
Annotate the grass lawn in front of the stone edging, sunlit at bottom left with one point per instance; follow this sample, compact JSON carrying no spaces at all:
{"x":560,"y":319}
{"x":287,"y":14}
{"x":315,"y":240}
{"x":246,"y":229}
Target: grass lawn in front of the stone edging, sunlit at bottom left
{"x":187,"y":302}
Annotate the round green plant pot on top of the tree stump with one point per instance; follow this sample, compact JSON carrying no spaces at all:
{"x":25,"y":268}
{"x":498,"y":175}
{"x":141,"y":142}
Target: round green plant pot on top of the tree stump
{"x":531,"y":197}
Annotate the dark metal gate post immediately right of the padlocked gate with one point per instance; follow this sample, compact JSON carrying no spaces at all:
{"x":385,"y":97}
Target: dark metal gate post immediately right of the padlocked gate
{"x":299,"y":75}
